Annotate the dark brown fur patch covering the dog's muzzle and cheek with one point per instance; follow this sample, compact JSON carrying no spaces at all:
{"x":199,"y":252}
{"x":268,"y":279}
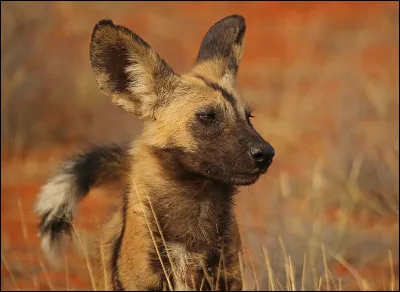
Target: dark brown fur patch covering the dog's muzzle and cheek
{"x":221,"y":158}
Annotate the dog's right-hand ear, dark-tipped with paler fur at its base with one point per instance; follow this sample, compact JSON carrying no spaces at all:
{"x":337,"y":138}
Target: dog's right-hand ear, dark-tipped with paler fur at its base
{"x":222,"y":48}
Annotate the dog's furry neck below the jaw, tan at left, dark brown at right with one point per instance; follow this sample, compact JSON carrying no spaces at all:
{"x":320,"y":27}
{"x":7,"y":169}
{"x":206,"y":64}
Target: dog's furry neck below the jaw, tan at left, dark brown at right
{"x":190,"y":208}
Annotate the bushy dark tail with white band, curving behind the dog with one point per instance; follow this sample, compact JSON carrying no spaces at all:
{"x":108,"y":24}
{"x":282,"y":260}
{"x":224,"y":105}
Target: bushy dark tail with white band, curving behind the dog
{"x":59,"y":197}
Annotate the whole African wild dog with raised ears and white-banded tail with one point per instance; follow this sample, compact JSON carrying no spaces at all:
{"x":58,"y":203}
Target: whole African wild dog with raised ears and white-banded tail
{"x":197,"y":147}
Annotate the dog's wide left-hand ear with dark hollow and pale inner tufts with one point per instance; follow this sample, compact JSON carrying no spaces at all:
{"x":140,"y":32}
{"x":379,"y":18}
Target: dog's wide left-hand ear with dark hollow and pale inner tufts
{"x":127,"y":69}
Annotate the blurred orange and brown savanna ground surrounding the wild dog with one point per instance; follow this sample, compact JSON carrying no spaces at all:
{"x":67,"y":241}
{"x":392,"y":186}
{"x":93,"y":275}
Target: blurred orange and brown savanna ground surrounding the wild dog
{"x":323,"y":79}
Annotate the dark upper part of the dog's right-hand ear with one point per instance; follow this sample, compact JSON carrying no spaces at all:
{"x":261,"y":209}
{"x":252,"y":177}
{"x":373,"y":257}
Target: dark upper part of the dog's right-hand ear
{"x":221,"y":37}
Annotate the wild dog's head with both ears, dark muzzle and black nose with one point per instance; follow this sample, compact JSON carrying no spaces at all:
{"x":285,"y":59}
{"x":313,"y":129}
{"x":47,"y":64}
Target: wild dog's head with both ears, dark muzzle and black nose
{"x":197,"y":119}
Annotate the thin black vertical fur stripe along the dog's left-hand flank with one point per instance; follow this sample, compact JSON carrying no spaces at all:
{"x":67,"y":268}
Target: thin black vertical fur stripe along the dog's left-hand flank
{"x":116,"y":282}
